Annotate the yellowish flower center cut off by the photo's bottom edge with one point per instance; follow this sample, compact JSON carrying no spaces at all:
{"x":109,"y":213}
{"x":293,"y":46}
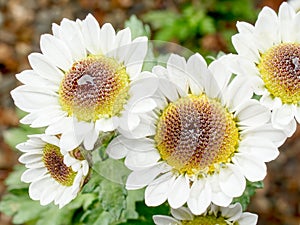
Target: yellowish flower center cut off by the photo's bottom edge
{"x":206,"y":220}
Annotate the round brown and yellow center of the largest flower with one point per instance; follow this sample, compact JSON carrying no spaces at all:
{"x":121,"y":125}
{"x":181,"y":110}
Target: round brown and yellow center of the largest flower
{"x":195,"y":134}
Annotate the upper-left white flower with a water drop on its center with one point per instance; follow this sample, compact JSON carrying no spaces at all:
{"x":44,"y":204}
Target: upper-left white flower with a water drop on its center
{"x":84,"y":82}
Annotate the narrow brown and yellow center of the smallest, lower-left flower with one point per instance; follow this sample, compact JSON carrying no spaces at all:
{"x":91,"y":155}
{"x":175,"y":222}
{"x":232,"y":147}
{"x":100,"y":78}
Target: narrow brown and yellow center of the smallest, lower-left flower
{"x":54,"y":162}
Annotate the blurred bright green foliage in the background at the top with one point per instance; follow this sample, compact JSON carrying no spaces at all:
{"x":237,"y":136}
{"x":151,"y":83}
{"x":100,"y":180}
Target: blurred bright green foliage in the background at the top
{"x":190,"y":22}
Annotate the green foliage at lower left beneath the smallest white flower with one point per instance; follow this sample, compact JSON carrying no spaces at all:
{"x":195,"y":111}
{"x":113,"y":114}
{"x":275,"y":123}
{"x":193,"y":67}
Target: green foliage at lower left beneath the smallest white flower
{"x":101,"y":202}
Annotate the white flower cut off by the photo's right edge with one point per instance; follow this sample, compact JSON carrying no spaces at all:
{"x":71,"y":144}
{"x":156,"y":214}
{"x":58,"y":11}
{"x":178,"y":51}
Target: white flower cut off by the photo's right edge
{"x":269,"y":54}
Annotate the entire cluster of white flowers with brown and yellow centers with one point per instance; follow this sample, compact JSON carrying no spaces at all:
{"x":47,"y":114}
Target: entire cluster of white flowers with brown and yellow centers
{"x":192,"y":134}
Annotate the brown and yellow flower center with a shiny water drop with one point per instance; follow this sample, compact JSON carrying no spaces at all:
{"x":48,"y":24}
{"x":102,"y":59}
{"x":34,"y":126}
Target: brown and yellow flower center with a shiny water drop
{"x":95,"y":87}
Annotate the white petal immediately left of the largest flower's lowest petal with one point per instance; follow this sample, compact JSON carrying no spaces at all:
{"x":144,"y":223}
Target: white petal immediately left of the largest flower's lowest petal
{"x":179,"y":192}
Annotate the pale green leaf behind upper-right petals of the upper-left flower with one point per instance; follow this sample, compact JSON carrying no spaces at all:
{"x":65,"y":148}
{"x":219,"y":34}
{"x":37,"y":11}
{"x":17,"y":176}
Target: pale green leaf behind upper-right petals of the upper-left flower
{"x":137,"y":27}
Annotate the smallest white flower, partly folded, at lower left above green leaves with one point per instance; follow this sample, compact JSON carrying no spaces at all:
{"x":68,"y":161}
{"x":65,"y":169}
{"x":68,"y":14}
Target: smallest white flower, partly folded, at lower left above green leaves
{"x":53,"y":176}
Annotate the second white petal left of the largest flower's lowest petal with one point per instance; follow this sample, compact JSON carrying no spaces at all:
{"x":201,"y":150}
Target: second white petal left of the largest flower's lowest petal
{"x":157,"y":191}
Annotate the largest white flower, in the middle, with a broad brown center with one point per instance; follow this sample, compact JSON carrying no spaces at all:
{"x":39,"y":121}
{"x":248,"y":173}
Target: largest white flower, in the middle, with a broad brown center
{"x":208,"y":136}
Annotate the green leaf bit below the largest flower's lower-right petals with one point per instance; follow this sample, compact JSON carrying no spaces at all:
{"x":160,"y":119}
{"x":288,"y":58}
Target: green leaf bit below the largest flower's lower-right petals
{"x":248,"y":193}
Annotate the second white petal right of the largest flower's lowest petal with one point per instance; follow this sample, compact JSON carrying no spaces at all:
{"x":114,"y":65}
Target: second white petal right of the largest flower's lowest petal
{"x":232,"y":181}
